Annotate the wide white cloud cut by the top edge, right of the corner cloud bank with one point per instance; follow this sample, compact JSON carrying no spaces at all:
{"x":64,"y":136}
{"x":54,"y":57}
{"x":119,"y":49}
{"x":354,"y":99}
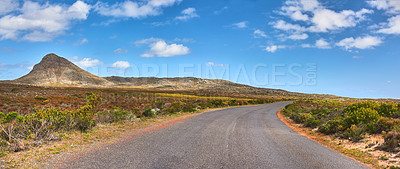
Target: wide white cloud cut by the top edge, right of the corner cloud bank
{"x":132,"y":9}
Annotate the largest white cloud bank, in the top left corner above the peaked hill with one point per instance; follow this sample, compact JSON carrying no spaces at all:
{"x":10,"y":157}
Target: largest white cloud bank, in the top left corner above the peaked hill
{"x":36,"y":22}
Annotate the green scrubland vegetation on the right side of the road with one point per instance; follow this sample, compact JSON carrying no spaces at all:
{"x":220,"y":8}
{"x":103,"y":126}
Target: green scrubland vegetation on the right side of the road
{"x":350,"y":120}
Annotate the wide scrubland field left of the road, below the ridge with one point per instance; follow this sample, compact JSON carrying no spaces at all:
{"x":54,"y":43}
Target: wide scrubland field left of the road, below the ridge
{"x":32,"y":116}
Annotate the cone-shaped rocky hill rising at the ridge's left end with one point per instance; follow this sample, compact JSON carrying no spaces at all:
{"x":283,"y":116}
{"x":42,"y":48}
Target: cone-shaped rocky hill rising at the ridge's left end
{"x":54,"y":70}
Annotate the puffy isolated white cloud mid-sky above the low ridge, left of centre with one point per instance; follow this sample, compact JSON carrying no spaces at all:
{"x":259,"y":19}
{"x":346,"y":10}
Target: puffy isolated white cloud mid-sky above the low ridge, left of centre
{"x":161,"y":49}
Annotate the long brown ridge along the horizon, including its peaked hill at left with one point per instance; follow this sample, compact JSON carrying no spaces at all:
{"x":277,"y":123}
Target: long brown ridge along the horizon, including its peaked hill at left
{"x":57,"y":71}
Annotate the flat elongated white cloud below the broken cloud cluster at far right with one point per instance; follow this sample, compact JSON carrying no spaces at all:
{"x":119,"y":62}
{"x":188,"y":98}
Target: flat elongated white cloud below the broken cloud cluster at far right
{"x":360,"y":42}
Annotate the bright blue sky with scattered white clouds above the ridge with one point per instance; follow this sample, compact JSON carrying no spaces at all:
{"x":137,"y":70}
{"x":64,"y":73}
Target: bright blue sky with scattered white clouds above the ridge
{"x":347,"y":48}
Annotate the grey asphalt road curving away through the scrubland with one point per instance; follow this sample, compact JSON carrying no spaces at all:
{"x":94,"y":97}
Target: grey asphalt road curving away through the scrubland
{"x":243,"y":137}
